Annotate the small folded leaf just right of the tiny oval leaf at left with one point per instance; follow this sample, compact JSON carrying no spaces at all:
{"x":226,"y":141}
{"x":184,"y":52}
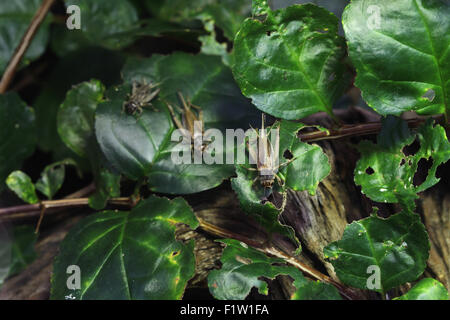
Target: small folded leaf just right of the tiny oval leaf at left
{"x":52,"y":177}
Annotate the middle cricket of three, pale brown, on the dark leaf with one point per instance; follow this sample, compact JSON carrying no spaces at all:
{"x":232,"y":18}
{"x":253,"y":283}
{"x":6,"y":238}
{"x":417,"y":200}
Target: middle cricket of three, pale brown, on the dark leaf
{"x":191,"y":122}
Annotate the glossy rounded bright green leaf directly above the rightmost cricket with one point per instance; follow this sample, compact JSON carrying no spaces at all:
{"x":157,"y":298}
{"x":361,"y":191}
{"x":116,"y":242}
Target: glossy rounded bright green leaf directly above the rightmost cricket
{"x":290,"y":64}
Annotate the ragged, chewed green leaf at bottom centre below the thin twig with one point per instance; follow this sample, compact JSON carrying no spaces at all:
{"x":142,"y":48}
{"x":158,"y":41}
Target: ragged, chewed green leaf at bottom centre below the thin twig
{"x":243,"y":267}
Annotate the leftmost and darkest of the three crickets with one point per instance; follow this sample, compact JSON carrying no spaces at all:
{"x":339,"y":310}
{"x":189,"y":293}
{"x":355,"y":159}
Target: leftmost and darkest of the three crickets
{"x":141,"y":96}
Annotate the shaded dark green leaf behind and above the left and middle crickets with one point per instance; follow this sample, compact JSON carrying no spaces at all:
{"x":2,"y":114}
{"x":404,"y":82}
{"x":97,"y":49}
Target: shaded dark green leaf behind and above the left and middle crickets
{"x":204,"y":80}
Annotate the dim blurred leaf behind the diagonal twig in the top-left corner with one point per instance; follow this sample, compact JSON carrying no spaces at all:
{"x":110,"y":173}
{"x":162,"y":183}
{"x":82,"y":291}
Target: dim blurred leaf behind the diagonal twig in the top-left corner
{"x":15,"y":17}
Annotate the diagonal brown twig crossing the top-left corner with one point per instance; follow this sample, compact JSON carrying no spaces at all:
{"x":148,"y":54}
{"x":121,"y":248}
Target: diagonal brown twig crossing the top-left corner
{"x":24,"y":44}
